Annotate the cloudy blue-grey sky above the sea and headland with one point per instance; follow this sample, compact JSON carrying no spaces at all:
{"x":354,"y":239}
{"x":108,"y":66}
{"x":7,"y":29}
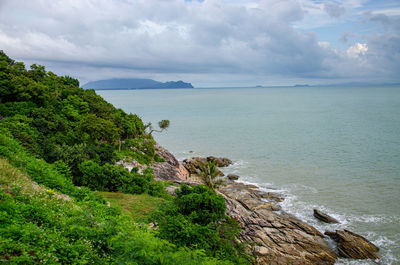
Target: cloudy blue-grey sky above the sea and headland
{"x":208,"y":43}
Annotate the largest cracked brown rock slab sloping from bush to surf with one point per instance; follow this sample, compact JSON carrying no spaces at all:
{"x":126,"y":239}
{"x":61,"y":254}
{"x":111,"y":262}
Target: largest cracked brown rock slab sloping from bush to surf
{"x":276,"y":238}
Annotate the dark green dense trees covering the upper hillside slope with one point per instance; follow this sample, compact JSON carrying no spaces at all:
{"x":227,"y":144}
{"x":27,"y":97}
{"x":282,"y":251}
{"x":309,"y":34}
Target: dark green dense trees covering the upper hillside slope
{"x":73,"y":128}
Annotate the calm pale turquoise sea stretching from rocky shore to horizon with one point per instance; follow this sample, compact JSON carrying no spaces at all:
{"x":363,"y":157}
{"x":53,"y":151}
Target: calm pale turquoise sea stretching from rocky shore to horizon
{"x":332,"y":148}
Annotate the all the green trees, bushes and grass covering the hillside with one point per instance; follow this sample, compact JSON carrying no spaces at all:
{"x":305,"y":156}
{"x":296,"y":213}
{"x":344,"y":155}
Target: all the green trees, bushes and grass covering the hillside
{"x":58,"y":150}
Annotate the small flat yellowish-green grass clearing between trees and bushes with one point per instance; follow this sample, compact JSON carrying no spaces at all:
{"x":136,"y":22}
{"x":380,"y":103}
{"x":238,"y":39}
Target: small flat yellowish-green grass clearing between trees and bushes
{"x":137,"y":206}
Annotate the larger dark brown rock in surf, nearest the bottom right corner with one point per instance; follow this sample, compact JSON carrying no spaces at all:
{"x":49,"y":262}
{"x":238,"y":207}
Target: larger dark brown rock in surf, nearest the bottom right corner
{"x":351,"y":245}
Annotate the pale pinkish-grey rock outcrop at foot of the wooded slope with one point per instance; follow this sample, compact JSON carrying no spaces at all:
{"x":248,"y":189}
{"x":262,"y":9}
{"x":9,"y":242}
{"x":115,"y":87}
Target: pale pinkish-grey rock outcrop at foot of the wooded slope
{"x":170,"y":169}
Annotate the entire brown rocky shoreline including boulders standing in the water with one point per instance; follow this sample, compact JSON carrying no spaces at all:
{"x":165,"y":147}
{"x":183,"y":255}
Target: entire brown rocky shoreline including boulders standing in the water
{"x":273,"y":236}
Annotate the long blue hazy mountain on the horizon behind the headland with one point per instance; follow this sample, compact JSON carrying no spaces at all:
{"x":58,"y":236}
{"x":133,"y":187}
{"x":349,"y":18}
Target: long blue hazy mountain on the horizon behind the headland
{"x":133,"y":83}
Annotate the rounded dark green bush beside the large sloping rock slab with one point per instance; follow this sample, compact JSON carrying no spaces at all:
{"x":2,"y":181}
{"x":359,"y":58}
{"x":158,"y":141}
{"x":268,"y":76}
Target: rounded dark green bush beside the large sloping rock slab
{"x":196,"y":219}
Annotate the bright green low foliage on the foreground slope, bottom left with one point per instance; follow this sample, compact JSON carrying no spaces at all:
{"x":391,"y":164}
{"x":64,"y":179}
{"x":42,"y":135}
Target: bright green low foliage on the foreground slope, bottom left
{"x":38,"y":227}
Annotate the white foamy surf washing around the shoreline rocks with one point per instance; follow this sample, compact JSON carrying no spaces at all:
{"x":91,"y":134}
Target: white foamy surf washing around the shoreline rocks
{"x":304,"y":211}
